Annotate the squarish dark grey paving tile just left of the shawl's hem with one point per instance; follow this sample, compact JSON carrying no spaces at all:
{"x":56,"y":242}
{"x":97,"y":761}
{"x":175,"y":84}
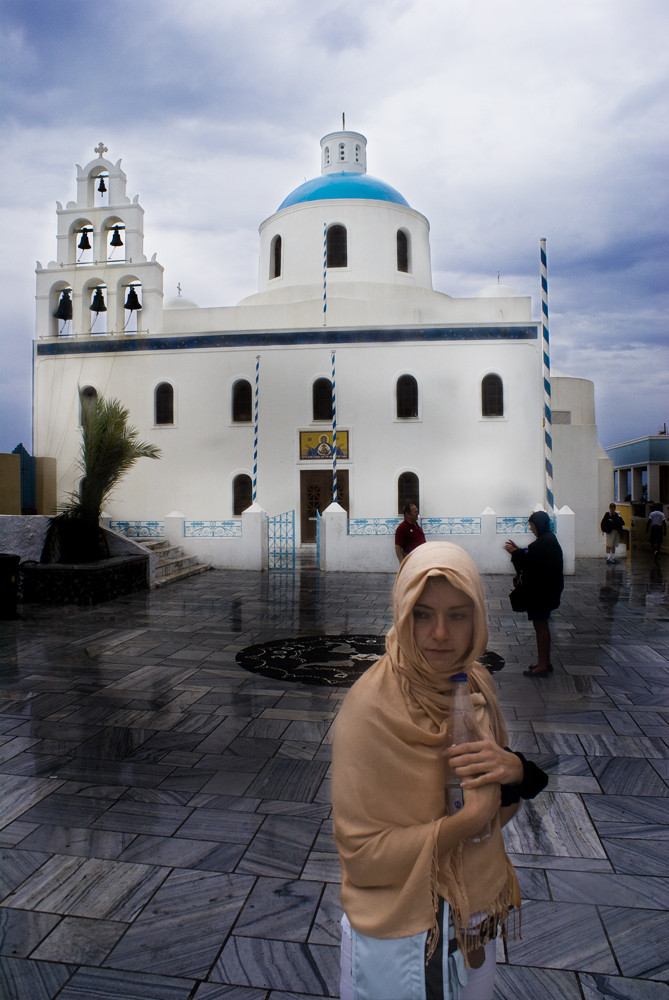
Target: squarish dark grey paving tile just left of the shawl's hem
{"x":279,"y":908}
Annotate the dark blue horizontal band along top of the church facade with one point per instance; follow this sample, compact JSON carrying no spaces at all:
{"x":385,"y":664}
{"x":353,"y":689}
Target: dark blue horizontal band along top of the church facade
{"x":285,"y":338}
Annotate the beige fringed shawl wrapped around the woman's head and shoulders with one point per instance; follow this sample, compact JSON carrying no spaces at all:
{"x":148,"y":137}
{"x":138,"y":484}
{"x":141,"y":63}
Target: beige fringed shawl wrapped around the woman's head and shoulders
{"x":389,"y":775}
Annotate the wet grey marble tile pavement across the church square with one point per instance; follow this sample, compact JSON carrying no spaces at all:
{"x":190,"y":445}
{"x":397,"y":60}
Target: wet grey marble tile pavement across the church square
{"x":165,"y":815}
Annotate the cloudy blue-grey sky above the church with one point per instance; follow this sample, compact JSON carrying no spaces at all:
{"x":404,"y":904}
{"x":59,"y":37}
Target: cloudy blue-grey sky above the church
{"x":502,"y":123}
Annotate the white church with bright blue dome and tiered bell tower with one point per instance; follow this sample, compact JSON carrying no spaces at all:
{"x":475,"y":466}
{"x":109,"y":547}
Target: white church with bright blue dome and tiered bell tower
{"x":436,"y":400}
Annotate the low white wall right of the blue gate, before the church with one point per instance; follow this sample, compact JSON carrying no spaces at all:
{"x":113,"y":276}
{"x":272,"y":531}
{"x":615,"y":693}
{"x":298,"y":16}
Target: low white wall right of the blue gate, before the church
{"x":341,"y":552}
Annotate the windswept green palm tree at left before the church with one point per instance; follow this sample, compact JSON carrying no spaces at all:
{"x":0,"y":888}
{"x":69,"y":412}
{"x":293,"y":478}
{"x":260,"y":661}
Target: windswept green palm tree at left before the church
{"x":109,"y":449}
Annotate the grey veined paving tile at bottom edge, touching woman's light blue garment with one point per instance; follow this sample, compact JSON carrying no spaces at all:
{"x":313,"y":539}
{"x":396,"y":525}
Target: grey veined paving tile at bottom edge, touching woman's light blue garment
{"x":279,"y":965}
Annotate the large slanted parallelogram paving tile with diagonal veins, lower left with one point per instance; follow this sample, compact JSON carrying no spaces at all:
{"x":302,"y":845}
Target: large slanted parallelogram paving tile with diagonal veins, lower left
{"x":195,"y":908}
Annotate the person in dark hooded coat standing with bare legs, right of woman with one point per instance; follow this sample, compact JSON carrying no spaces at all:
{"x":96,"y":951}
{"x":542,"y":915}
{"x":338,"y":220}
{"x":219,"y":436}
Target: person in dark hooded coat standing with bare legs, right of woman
{"x":543,"y":581}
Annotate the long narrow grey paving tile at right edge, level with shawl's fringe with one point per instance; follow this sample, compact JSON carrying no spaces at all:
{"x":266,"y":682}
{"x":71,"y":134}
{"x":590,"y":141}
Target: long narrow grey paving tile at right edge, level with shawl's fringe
{"x":608,"y":889}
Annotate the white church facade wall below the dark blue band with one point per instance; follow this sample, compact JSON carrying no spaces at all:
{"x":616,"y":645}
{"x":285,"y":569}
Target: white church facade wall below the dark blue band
{"x":464,"y":462}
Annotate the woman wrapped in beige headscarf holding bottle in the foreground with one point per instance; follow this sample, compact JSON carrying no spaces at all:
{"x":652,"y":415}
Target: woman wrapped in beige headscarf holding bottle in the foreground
{"x":423,"y":902}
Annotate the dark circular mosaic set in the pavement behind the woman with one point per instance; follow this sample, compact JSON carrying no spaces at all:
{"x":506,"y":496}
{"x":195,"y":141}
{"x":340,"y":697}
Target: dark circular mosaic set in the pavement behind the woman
{"x":334,"y":660}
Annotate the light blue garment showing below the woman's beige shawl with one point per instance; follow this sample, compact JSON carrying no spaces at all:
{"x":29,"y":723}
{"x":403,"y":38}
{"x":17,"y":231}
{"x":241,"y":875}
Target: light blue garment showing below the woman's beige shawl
{"x":394,"y":969}
